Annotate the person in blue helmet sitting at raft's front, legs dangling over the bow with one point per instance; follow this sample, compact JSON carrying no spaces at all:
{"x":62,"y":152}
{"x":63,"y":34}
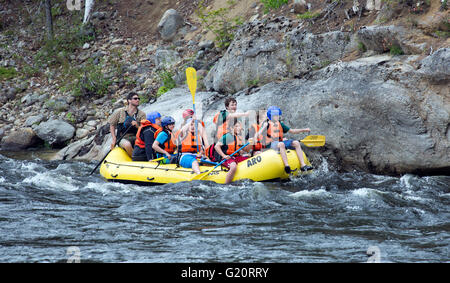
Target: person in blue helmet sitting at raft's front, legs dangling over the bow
{"x":273,"y":129}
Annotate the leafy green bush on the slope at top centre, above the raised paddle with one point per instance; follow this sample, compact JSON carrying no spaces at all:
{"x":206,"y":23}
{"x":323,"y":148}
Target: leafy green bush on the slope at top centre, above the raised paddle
{"x":219,"y":23}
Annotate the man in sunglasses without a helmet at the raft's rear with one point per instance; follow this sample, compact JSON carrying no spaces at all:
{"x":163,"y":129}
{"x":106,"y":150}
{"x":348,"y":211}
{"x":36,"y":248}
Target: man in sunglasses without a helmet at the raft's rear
{"x":126,"y":119}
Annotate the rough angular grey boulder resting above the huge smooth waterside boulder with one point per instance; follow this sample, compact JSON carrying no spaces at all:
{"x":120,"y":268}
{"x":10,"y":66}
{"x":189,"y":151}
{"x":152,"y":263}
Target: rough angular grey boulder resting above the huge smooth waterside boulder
{"x":262,"y":53}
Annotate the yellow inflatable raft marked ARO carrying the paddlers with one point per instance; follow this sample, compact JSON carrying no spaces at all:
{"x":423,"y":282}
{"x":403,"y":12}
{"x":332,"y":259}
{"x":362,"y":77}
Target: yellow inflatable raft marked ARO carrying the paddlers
{"x":267,"y":166}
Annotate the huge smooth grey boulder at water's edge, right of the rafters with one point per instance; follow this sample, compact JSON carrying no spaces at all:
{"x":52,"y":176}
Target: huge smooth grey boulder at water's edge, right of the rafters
{"x":379,"y":114}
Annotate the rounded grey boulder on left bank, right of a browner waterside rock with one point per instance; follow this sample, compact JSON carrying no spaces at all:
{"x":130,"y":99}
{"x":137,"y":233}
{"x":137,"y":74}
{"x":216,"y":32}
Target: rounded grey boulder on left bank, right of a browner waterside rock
{"x":55,"y":132}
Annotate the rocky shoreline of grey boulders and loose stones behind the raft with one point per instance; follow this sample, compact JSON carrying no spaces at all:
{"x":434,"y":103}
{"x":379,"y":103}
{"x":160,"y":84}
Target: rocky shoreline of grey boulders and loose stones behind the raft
{"x":380,"y":94}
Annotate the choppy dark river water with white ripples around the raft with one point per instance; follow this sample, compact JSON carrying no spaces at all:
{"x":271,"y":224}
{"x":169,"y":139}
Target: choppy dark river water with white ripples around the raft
{"x":54,"y":211}
